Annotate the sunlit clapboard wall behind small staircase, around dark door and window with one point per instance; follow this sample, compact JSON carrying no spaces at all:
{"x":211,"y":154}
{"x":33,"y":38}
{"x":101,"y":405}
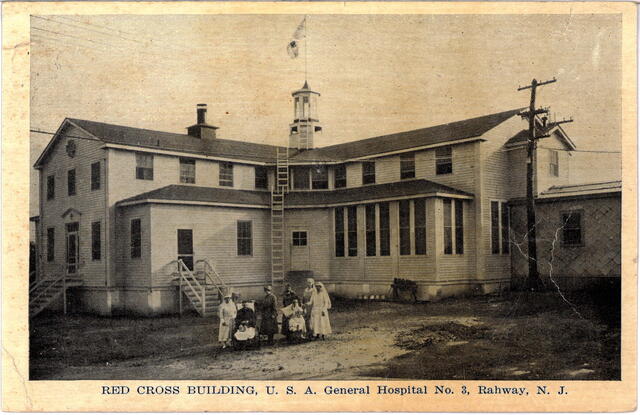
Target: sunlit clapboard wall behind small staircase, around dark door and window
{"x":214,"y":239}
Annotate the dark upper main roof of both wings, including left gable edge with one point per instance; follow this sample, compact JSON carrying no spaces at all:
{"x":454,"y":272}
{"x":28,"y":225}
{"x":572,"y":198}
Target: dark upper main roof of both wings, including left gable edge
{"x":263,"y":153}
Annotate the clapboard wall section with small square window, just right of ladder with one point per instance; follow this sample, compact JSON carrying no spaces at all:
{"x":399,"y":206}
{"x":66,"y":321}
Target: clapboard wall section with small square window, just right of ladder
{"x":317,"y":253}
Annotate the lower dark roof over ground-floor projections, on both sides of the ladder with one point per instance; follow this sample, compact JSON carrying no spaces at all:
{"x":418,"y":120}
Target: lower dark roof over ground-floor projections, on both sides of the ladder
{"x":222,"y":196}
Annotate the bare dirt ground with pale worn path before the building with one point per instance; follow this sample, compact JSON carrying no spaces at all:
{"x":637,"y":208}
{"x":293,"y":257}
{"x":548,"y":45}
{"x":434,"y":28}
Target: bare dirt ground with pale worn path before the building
{"x":512,"y":336}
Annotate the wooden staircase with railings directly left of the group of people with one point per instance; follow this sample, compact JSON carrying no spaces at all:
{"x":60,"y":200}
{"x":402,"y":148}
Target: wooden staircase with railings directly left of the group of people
{"x":203,"y":287}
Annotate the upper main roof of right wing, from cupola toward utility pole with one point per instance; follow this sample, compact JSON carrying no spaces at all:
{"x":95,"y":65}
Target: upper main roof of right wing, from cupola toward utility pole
{"x":439,"y":134}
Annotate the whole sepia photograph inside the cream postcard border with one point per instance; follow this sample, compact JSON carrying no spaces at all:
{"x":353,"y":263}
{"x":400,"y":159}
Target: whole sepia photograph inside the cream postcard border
{"x":272,"y":196}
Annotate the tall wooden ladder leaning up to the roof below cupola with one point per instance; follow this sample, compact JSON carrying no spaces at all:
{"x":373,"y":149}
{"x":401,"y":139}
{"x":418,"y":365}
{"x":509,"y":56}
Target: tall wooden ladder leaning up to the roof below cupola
{"x":277,"y":216}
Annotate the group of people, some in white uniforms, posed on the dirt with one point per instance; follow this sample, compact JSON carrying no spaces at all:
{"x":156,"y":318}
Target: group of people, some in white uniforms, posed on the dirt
{"x":302,"y":318}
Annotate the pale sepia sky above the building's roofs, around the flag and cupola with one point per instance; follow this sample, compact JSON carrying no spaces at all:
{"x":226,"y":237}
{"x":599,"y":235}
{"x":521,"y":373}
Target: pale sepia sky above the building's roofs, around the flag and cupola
{"x":377,"y":74}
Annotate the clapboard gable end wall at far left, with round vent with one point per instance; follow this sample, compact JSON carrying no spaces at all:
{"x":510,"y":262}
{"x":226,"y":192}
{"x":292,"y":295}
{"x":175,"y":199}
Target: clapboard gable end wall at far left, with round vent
{"x":90,"y":204}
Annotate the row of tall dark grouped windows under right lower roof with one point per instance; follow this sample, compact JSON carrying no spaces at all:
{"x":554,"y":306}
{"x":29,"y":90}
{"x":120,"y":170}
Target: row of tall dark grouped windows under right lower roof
{"x":377,"y":228}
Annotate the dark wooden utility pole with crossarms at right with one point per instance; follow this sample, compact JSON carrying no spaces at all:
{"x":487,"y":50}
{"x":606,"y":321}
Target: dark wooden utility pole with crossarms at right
{"x":533,"y":281}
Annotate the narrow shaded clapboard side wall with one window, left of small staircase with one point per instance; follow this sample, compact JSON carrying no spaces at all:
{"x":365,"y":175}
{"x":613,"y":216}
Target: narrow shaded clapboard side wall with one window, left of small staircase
{"x":133,"y":272}
